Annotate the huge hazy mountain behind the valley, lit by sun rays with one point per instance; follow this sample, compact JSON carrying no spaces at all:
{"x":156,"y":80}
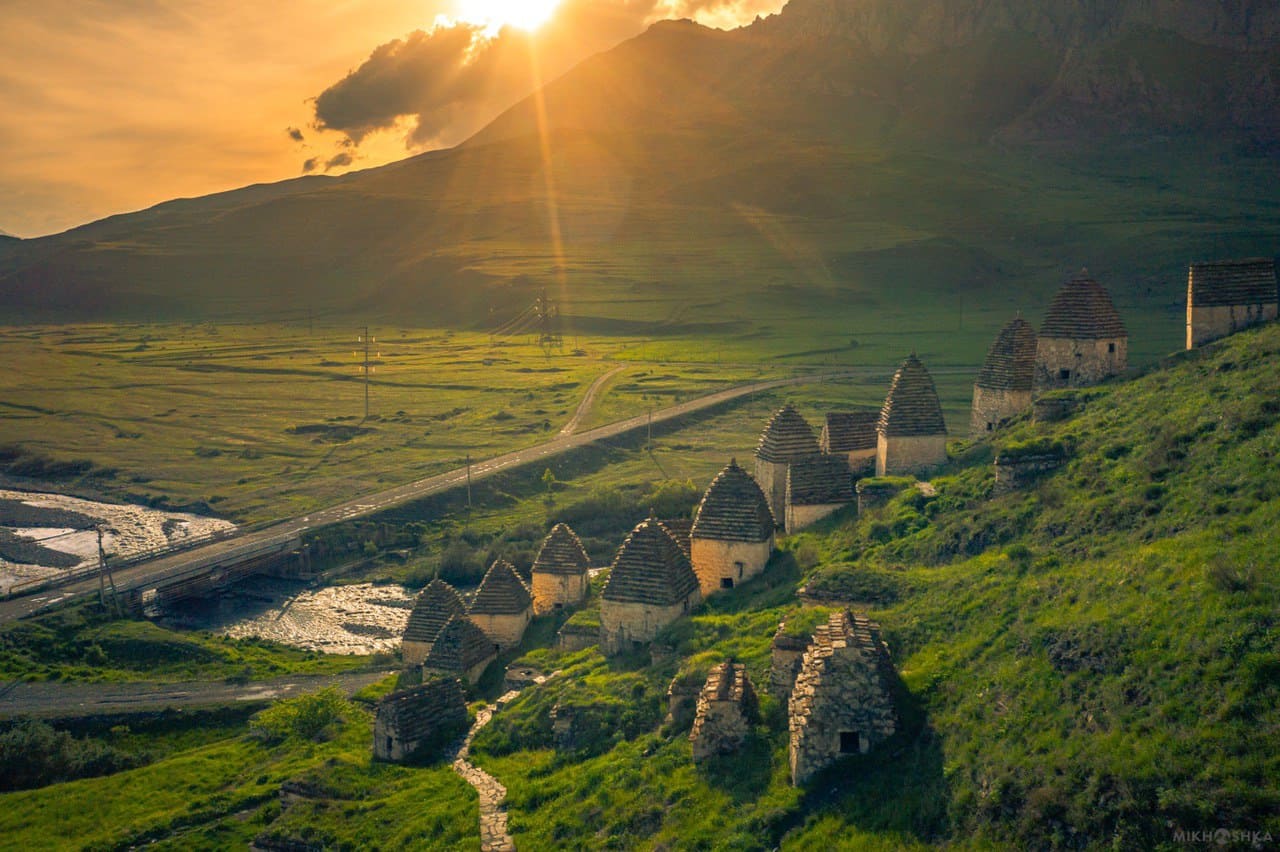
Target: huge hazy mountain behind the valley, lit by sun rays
{"x":833,"y":152}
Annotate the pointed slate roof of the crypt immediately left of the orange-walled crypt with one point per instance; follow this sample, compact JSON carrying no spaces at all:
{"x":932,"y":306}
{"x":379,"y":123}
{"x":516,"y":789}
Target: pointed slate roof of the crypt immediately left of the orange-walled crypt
{"x":651,"y":569}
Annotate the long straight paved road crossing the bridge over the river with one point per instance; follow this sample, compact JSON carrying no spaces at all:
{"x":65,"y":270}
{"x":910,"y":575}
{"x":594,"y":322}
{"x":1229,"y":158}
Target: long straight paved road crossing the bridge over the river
{"x":149,"y":572}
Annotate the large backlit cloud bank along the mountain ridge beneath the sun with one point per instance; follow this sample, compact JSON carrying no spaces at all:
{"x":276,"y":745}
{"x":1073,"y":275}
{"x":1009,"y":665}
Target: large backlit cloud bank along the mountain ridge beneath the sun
{"x":451,"y":81}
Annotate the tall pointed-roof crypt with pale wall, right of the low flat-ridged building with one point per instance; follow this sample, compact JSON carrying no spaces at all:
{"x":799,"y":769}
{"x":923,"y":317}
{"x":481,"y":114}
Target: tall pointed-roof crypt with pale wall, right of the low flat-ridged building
{"x":912,"y":436}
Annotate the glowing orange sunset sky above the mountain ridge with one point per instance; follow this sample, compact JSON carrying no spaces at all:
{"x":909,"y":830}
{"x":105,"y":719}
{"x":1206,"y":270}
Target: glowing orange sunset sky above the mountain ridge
{"x":113,"y":106}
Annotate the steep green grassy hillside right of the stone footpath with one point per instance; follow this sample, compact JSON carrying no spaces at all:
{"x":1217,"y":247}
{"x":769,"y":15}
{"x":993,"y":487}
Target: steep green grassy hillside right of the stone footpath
{"x":1090,"y":662}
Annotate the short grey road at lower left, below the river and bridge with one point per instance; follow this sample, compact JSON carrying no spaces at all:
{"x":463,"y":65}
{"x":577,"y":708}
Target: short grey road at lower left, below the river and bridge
{"x":67,"y":700}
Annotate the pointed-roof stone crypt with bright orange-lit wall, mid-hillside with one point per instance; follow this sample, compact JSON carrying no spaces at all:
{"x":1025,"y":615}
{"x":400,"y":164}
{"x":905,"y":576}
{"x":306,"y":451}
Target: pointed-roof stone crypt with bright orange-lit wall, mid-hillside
{"x":733,"y":534}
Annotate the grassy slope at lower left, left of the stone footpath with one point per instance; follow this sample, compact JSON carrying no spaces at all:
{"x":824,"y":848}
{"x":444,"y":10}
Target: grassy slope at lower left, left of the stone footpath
{"x":222,"y":795}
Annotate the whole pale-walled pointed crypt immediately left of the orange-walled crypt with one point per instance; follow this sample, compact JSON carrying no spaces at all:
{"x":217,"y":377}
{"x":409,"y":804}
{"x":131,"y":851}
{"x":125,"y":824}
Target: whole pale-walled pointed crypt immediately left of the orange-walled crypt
{"x":651,"y":585}
